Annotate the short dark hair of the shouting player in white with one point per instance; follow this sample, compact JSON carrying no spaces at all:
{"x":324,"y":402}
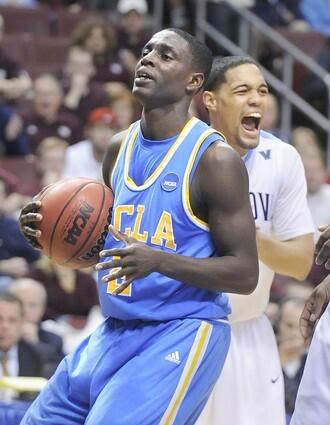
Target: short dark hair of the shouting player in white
{"x":221,"y":65}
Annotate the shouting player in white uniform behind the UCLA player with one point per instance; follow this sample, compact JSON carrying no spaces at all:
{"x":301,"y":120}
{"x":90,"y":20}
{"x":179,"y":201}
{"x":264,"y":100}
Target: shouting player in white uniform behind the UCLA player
{"x":250,"y":390}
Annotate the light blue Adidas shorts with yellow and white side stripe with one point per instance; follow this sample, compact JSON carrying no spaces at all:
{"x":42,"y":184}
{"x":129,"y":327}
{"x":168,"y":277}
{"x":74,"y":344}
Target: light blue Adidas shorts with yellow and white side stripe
{"x":134,"y":373}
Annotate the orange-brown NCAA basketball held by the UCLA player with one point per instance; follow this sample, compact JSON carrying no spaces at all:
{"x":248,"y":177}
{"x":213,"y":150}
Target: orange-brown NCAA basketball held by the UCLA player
{"x":76,"y":215}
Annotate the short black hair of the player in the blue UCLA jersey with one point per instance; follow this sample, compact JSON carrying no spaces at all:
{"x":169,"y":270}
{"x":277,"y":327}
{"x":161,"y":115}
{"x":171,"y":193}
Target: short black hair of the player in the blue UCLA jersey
{"x":201,"y":54}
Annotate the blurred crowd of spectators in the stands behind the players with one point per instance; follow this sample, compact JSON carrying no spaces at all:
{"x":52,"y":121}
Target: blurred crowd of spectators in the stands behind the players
{"x":56,"y":121}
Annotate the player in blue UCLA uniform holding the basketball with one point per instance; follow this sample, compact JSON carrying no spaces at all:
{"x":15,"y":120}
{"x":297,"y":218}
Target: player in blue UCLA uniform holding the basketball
{"x":182,"y":233}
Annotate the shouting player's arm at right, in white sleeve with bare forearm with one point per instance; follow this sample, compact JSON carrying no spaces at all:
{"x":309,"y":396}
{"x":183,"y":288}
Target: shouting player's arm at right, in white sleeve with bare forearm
{"x":290,"y":252}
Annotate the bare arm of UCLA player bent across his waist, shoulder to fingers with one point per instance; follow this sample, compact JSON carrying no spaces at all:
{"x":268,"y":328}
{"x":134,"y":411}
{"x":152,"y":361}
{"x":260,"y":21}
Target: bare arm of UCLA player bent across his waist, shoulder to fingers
{"x":221,"y":198}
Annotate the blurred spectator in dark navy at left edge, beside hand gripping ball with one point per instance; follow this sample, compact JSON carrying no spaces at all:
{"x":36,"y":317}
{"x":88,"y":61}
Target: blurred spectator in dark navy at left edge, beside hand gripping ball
{"x":15,"y":253}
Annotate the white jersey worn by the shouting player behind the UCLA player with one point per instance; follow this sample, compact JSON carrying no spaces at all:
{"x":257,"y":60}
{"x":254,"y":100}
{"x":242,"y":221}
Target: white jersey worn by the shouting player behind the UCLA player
{"x":278,"y":196}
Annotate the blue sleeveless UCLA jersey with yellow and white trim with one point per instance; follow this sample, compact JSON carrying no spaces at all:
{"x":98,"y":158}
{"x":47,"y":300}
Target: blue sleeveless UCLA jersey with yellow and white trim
{"x":151,"y":184}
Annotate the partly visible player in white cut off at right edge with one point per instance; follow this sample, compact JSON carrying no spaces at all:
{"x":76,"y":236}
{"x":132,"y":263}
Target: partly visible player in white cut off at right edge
{"x":313,"y":399}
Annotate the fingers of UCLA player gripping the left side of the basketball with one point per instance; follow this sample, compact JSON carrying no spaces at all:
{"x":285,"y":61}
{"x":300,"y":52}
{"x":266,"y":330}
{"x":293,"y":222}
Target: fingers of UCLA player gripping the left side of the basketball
{"x":29,"y":216}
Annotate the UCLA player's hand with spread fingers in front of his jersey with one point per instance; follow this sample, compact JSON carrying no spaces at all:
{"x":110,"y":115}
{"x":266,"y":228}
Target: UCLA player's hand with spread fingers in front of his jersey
{"x":134,"y":260}
